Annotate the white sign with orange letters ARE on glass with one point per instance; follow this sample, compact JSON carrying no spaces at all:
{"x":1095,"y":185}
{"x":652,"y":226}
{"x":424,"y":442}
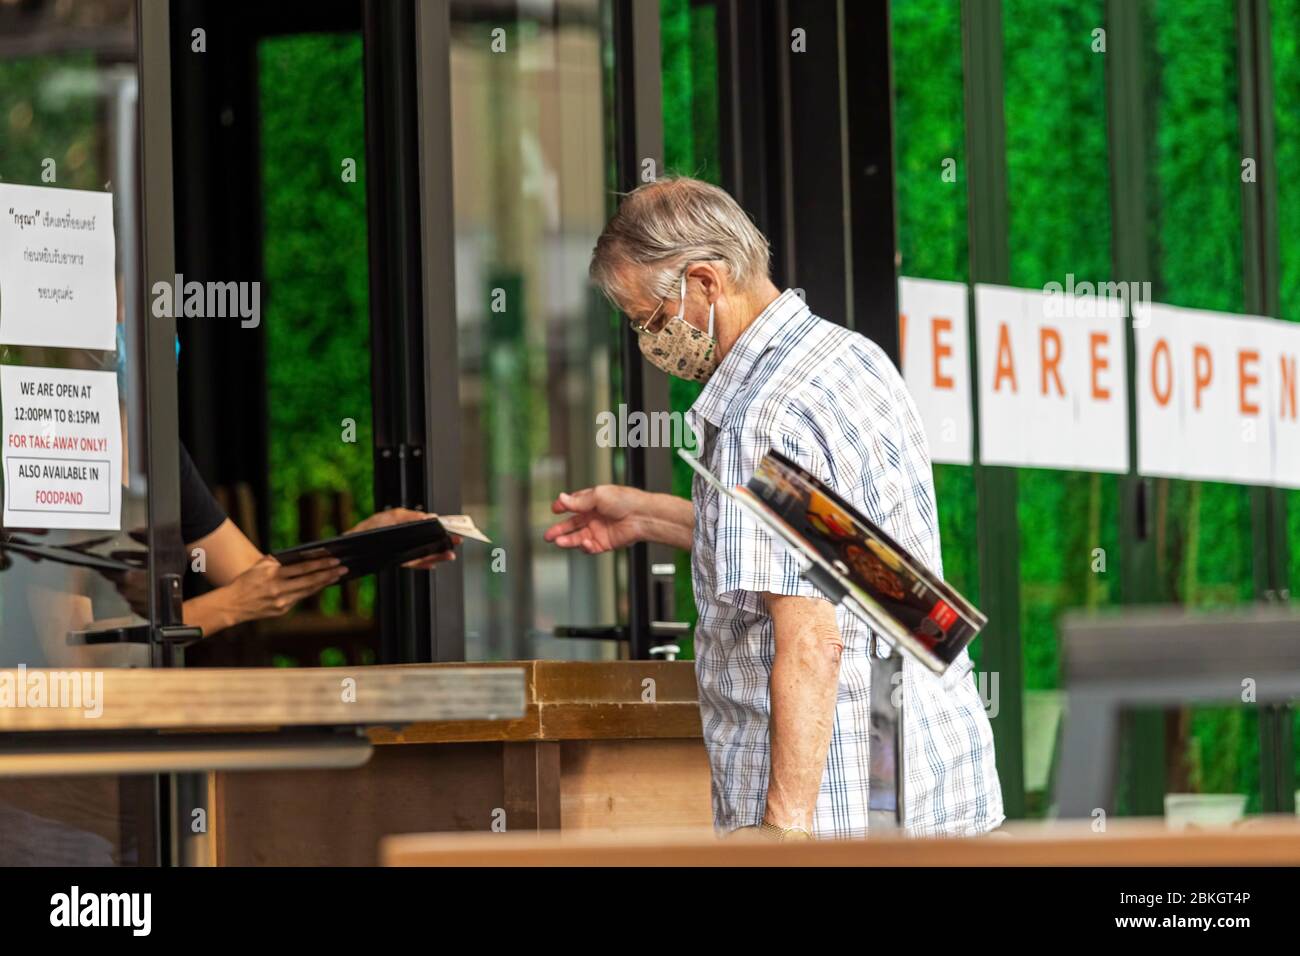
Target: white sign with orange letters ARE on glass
{"x":1052,"y":380}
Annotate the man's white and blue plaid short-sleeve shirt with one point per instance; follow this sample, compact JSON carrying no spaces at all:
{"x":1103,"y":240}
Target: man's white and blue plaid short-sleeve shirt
{"x":833,"y":401}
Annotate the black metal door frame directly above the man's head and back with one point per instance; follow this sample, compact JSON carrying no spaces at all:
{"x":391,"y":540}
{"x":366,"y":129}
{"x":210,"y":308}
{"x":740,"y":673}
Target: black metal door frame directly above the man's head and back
{"x":807,"y":142}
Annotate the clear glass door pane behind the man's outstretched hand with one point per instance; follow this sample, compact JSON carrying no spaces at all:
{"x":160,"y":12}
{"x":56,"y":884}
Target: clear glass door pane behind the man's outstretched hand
{"x":539,"y":352}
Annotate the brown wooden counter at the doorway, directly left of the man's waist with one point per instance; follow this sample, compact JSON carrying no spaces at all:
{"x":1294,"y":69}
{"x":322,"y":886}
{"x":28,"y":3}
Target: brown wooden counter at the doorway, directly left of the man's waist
{"x":605,"y":747}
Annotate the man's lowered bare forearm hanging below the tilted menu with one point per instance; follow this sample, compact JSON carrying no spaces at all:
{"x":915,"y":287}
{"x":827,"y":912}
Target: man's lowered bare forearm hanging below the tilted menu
{"x":805,"y":681}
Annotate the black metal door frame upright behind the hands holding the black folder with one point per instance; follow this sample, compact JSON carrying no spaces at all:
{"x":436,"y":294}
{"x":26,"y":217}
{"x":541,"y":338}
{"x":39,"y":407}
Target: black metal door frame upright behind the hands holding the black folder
{"x":421,"y":615}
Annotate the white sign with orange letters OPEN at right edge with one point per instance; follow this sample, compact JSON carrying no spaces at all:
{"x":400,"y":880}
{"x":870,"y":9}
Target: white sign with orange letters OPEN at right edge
{"x":1217,"y":397}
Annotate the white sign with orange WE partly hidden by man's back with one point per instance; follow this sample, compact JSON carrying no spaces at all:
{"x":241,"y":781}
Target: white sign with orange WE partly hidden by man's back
{"x":934,"y":345}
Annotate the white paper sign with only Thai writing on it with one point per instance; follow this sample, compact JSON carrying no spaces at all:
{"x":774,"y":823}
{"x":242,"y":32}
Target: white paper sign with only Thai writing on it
{"x":58,"y":269}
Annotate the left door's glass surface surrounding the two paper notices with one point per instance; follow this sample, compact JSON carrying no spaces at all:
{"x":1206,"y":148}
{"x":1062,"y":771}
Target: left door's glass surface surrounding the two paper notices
{"x":68,"y":110}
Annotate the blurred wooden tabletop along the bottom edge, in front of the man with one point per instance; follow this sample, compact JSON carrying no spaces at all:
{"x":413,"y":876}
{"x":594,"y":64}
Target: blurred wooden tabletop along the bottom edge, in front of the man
{"x":1260,"y":842}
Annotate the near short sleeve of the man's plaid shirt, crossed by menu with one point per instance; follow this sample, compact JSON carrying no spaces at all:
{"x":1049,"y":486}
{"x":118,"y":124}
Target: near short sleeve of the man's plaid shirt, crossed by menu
{"x":749,"y":559}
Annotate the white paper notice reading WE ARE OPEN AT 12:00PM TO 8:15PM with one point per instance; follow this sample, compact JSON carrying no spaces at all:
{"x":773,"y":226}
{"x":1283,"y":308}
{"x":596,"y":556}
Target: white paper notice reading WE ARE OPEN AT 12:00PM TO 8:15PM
{"x":63,"y":449}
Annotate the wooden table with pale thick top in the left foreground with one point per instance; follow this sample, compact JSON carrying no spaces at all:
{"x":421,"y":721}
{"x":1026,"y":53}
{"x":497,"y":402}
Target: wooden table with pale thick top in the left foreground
{"x":77,"y":747}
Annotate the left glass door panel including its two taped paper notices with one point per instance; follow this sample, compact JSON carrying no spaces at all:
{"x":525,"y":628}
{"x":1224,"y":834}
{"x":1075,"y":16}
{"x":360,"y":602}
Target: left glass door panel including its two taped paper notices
{"x":75,"y":560}
